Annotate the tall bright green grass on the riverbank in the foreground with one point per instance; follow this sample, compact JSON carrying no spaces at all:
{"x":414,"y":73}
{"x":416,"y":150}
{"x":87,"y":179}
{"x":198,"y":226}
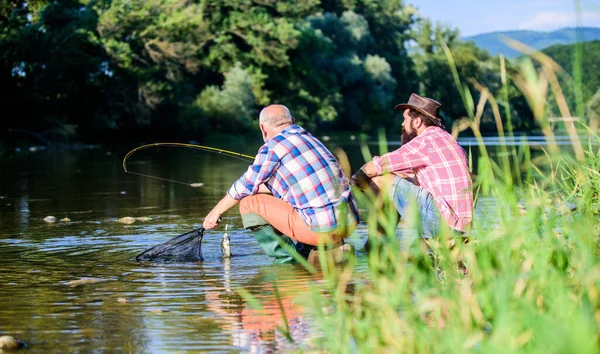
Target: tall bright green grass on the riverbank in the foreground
{"x":533,"y":281}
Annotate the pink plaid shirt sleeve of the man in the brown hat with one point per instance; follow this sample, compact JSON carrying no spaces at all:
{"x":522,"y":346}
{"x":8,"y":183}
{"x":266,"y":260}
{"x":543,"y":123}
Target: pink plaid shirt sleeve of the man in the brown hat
{"x":404,"y":159}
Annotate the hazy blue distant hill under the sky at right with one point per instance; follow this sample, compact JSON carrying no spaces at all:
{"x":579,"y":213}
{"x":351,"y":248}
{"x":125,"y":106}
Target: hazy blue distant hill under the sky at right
{"x":493,"y":43}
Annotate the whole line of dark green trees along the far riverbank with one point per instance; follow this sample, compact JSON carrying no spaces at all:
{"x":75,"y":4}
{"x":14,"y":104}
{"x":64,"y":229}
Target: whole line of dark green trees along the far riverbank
{"x":155,"y":69}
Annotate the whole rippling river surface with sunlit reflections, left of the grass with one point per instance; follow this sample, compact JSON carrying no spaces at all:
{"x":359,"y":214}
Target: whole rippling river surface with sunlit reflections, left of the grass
{"x":74,"y":286}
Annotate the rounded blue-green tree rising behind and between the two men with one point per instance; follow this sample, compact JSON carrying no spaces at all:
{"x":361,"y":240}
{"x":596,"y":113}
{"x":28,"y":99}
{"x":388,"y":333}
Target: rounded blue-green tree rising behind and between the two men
{"x":337,"y":80}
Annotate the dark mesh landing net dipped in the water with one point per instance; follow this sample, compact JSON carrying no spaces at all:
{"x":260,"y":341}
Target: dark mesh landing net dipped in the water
{"x":183,"y":248}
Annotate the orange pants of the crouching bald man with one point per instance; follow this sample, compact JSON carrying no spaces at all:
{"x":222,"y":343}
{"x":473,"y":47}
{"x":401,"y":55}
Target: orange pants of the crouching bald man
{"x":282,"y":216}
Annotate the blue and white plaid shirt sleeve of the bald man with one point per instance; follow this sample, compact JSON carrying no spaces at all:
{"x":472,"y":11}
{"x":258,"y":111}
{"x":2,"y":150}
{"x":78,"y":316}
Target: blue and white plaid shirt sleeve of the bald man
{"x":264,"y":166}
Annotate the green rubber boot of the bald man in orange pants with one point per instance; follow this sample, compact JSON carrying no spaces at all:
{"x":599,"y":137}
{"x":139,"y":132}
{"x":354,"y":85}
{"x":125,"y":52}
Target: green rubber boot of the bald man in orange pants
{"x":269,"y":238}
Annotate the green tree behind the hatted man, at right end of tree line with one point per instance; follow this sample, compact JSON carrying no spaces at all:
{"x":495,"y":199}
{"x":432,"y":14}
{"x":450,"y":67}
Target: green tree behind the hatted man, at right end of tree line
{"x":472,"y":64}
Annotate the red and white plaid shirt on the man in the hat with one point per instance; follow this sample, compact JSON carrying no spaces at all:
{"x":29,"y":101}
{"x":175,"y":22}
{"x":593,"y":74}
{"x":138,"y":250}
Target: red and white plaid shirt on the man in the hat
{"x":440,"y":167}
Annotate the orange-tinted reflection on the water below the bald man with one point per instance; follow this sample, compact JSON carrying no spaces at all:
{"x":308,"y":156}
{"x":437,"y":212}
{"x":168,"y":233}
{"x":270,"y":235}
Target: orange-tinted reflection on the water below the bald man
{"x":279,"y":323}
